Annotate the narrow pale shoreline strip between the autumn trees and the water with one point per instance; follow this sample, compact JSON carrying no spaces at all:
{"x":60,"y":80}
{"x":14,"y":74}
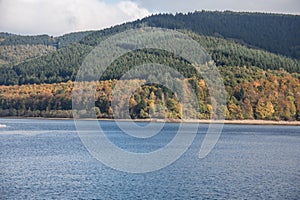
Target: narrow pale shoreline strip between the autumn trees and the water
{"x":200,"y":121}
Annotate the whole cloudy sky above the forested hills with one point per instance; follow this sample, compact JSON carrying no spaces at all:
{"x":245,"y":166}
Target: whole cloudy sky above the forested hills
{"x":58,"y":17}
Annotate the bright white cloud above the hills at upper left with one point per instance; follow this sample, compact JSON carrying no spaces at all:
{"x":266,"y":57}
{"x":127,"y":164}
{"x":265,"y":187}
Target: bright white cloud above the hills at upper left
{"x":57,"y":17}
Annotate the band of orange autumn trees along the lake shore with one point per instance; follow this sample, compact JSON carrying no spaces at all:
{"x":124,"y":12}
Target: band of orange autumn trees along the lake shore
{"x":252,"y":93}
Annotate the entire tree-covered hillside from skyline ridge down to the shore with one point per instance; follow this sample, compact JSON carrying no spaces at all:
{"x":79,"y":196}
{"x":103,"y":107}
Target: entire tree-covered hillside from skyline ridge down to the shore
{"x":257,"y":55}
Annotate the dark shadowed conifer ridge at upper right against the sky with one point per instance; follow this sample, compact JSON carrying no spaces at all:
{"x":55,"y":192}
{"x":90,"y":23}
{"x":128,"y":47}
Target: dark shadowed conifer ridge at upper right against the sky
{"x":272,"y":32}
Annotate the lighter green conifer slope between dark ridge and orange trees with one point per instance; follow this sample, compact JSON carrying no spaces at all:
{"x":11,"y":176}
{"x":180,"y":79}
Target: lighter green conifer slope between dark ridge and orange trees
{"x":62,"y":65}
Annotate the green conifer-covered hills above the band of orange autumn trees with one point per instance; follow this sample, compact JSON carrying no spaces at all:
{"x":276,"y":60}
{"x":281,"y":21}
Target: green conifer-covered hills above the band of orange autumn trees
{"x":231,"y":39}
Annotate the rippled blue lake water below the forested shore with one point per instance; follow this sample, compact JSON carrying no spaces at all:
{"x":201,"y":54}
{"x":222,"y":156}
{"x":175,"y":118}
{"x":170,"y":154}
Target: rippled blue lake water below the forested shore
{"x":45,"y":159}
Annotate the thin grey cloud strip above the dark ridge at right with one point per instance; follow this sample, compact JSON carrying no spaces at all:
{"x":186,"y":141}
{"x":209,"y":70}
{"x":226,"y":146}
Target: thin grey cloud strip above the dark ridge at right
{"x":277,"y":6}
